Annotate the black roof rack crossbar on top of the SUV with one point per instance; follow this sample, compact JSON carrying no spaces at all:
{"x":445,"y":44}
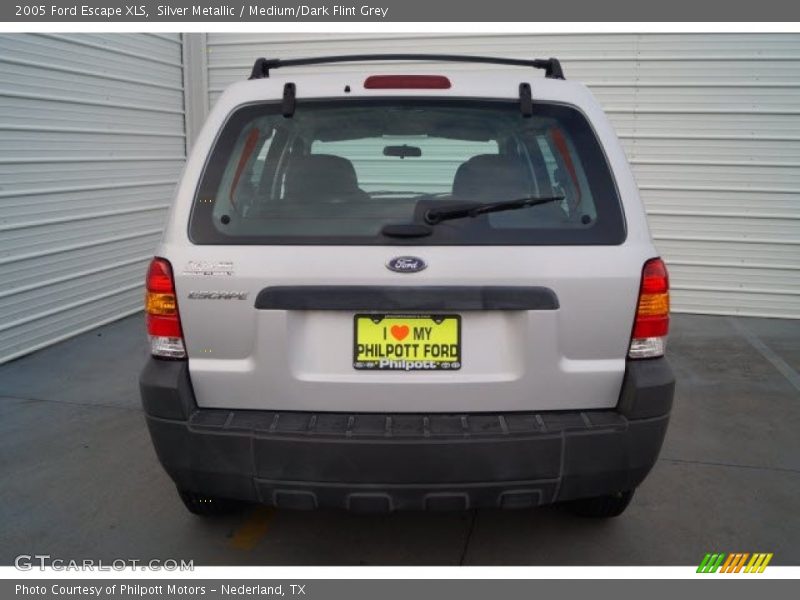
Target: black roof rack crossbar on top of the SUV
{"x":551,"y":66}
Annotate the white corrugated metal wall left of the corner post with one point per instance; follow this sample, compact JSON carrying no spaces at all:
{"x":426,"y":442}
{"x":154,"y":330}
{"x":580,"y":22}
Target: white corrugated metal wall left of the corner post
{"x":91,"y":144}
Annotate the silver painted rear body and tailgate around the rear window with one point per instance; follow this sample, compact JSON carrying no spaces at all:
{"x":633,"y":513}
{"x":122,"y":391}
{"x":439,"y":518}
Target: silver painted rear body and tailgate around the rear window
{"x":572,"y":357}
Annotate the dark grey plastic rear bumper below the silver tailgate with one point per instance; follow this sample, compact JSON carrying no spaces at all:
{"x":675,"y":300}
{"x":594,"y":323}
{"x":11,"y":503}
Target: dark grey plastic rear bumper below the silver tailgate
{"x":382,"y":462}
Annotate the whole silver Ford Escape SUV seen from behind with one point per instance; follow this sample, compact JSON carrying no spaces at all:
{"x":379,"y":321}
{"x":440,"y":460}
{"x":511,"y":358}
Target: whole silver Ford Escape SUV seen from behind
{"x":383,"y":292}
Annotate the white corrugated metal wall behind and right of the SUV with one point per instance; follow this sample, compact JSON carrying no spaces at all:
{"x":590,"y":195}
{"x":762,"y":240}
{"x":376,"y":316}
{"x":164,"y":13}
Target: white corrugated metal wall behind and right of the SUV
{"x":710,"y":122}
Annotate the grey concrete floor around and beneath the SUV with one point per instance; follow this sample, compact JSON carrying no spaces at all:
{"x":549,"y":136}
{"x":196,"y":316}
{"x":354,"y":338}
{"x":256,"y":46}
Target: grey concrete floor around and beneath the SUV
{"x":79,"y":478}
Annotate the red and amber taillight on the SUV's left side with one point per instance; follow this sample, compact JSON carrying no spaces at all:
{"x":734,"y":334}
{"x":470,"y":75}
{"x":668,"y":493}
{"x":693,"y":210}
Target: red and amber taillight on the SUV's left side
{"x":161,"y":309}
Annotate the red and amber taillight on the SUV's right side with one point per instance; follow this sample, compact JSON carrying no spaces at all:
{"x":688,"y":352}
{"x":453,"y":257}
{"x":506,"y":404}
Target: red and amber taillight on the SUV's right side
{"x":651,"y":326}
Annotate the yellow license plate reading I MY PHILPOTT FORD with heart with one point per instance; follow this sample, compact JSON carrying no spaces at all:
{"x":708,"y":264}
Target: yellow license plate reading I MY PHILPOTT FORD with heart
{"x":407,"y":342}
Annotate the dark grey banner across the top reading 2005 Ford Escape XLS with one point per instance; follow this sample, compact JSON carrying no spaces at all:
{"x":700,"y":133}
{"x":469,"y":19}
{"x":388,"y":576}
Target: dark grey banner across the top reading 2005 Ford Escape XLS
{"x":363,"y":11}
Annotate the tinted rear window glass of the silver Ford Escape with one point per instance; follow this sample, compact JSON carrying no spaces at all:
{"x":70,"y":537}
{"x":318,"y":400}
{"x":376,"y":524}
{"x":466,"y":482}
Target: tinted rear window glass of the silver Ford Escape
{"x":352,"y":171}
